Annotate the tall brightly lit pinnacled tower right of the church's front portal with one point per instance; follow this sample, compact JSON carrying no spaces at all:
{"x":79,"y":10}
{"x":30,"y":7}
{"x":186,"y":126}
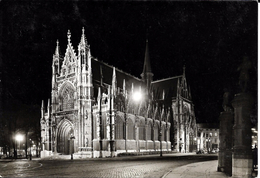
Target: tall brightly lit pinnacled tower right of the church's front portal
{"x":85,"y":90}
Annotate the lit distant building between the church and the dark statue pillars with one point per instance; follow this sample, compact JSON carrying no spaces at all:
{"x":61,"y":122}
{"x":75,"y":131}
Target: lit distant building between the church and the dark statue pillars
{"x":208,"y":137}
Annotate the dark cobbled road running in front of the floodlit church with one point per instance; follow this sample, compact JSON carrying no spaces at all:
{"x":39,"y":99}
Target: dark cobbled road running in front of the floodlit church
{"x":139,"y":166}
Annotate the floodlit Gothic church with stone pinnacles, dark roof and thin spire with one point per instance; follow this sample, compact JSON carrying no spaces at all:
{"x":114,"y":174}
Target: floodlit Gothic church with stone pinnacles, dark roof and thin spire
{"x":97,"y":110}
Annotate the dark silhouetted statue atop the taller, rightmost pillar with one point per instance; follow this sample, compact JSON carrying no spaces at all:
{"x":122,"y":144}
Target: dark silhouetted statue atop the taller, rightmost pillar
{"x":244,"y":77}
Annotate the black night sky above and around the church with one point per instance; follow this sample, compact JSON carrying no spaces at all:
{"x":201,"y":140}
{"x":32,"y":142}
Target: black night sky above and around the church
{"x":209,"y":38}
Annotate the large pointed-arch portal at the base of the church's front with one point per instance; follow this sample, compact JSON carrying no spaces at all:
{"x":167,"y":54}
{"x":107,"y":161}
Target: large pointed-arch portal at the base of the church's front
{"x":65,"y":131}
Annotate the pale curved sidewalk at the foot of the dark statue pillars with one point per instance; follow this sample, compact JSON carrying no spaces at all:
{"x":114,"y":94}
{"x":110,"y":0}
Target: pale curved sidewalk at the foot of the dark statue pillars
{"x":197,"y":170}
